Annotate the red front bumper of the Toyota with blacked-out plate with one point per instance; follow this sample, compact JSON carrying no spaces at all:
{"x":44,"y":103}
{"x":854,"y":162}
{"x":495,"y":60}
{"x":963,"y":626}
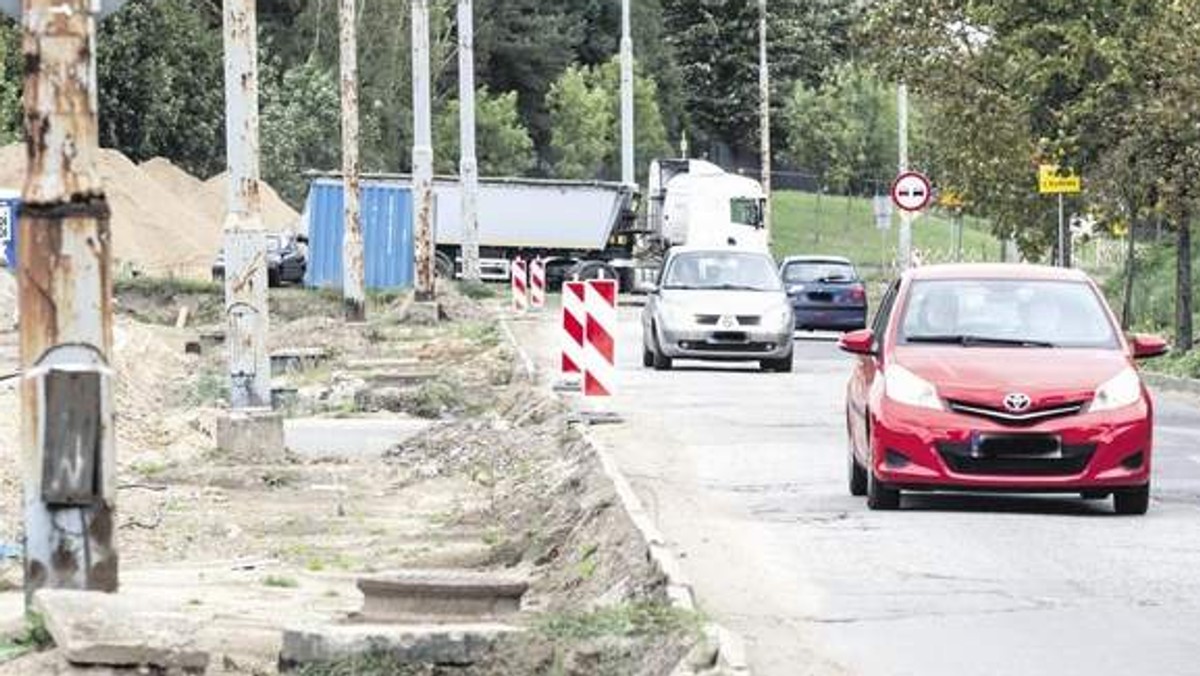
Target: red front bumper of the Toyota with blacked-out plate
{"x":922,"y":450}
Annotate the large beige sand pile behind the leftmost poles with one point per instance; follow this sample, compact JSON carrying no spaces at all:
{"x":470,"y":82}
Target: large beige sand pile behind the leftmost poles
{"x":165,"y":222}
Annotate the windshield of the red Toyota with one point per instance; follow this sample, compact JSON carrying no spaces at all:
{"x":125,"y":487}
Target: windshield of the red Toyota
{"x":1006,"y":313}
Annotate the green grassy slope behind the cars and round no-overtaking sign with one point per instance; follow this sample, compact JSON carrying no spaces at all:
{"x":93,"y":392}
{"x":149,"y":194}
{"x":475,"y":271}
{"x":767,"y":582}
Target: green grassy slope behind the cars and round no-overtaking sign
{"x":845,"y":226}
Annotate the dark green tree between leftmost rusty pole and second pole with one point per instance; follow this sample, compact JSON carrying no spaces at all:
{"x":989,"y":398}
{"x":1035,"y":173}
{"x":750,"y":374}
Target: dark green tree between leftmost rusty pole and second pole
{"x":163,"y":83}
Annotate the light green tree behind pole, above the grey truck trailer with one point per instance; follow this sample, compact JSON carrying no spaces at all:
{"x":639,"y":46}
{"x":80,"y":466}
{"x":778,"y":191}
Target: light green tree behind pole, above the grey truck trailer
{"x":503,"y":145}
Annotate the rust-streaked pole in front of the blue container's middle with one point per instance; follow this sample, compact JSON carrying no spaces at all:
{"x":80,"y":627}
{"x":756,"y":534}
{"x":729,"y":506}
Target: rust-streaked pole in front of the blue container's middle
{"x":353,"y":292}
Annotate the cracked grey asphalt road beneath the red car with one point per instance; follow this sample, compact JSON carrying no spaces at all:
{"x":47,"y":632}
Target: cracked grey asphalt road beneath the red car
{"x":746,"y":474}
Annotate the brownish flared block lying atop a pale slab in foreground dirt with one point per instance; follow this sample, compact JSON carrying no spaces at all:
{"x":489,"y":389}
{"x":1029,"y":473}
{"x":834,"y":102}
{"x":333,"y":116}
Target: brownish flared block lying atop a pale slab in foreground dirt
{"x":441,"y":594}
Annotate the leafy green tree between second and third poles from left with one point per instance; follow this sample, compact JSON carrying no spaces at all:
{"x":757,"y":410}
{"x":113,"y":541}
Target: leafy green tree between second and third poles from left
{"x":301,"y":127}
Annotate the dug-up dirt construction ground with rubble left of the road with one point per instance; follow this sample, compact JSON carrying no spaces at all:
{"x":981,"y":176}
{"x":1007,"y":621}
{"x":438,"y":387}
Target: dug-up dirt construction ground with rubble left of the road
{"x":325,"y":561}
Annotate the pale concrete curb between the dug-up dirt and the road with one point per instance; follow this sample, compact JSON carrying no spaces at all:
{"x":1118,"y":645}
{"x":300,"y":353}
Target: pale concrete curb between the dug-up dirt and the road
{"x":730,"y":649}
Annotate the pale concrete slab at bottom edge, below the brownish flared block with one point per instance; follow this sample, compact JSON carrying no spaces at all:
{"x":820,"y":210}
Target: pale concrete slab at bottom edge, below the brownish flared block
{"x":449,"y":645}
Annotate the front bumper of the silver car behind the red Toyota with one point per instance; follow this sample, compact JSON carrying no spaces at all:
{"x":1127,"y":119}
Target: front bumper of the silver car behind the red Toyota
{"x":736,"y":345}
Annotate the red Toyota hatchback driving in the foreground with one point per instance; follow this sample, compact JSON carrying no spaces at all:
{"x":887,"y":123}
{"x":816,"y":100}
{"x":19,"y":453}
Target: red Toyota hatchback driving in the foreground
{"x":985,"y":378}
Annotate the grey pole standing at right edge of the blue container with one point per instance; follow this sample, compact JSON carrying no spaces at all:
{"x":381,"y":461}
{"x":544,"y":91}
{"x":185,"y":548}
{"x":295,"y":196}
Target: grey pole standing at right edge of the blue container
{"x":423,"y":152}
